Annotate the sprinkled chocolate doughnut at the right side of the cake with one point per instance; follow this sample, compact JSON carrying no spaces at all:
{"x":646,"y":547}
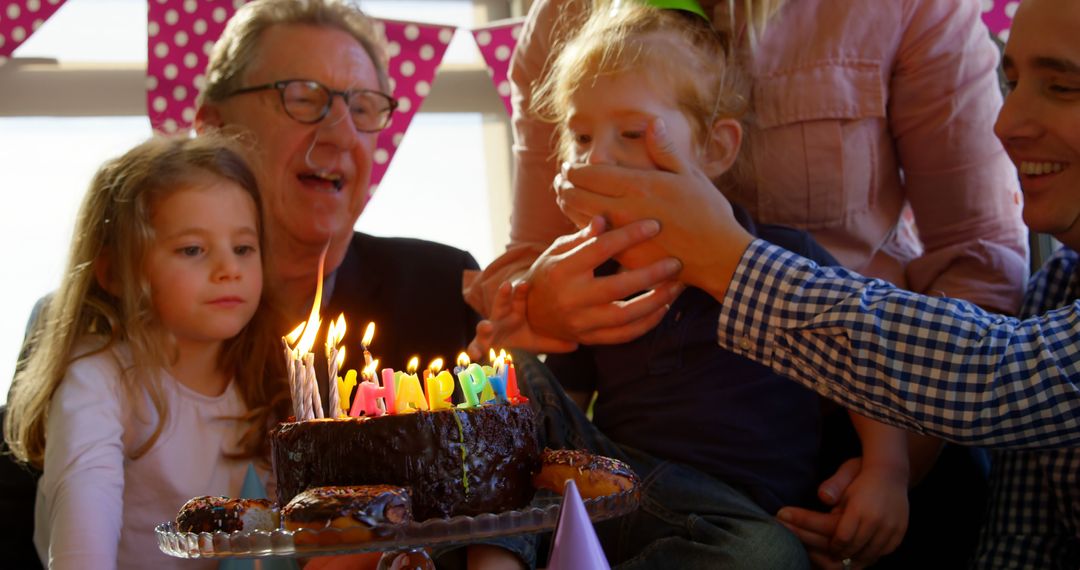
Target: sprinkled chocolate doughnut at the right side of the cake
{"x":595,"y":476}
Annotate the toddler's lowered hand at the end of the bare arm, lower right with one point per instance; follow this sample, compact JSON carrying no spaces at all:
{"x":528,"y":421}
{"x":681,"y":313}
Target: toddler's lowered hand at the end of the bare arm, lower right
{"x":873,"y":514}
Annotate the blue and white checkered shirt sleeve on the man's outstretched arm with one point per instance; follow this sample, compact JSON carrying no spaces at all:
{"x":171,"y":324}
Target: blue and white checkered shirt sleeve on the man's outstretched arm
{"x":930,"y":365}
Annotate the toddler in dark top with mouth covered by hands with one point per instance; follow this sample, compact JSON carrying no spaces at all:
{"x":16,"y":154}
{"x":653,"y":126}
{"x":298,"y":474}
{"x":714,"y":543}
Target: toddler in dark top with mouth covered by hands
{"x":672,"y":393}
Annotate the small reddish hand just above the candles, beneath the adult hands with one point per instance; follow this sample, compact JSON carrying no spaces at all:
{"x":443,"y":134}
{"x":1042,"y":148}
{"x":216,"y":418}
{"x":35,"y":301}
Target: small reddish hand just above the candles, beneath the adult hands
{"x":509,"y":329}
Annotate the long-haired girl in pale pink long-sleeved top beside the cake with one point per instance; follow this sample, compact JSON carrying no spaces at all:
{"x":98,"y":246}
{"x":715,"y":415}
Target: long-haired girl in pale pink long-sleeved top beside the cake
{"x":147,"y":384}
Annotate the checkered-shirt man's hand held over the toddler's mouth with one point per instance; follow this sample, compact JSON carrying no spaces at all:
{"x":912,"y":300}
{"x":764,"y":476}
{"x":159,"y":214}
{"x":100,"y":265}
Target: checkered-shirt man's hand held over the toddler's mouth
{"x":697,"y":224}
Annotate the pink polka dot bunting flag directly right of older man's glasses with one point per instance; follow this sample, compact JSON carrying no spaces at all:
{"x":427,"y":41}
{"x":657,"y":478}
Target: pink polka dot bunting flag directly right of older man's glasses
{"x":416,"y":52}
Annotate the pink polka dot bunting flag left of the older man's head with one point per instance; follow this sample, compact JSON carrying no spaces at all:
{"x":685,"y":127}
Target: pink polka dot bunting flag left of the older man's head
{"x":181,"y":35}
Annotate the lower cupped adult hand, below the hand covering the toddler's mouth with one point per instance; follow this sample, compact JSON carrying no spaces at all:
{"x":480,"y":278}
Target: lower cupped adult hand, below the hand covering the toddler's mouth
{"x":568,"y":302}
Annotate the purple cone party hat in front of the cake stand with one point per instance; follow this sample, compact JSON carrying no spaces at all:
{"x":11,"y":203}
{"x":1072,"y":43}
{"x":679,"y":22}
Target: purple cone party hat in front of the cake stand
{"x":575,"y":546}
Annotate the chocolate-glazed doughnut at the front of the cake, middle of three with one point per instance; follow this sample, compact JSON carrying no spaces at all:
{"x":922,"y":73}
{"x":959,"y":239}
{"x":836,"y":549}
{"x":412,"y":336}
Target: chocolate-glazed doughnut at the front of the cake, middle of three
{"x":361,"y":512}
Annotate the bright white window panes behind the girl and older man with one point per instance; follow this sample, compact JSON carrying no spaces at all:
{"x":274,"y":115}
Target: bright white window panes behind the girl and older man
{"x":437,"y":187}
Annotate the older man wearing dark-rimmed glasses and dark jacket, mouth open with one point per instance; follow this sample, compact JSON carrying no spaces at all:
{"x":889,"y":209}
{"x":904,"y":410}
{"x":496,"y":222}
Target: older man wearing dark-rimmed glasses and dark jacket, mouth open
{"x":306,"y":83}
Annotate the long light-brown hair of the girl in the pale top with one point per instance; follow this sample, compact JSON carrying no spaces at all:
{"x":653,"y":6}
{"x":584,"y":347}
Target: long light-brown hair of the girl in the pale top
{"x":112,"y":237}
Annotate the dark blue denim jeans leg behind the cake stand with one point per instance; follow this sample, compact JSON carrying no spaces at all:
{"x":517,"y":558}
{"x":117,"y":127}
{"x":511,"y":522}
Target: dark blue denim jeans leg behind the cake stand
{"x":687,"y":519}
